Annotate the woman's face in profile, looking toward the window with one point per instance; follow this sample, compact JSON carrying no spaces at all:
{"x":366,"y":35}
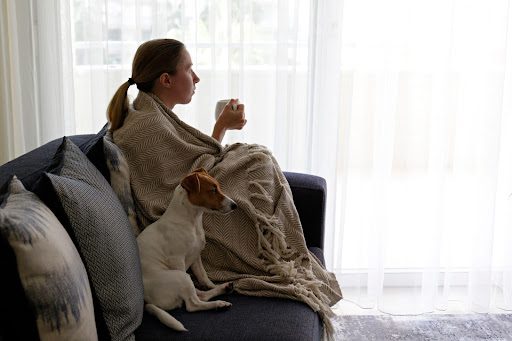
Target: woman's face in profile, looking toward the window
{"x":185,"y":79}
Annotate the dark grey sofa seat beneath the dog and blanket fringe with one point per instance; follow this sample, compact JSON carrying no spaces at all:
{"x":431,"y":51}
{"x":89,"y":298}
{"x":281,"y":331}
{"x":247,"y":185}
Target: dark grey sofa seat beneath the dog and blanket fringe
{"x":250,"y":318}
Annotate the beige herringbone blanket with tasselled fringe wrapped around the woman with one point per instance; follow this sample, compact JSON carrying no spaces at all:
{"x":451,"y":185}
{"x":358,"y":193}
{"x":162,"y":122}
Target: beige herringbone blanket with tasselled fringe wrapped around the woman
{"x":260,"y":246}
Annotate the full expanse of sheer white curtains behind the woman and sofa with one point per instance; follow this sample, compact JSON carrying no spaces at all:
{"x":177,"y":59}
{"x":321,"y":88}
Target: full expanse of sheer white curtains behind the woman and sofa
{"x":403,"y":106}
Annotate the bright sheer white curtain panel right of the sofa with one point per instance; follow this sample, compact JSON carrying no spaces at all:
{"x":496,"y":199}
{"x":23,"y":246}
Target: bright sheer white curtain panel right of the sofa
{"x":426,"y":158}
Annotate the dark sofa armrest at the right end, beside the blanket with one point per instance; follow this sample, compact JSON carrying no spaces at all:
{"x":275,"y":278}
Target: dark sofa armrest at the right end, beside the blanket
{"x":309,"y":195}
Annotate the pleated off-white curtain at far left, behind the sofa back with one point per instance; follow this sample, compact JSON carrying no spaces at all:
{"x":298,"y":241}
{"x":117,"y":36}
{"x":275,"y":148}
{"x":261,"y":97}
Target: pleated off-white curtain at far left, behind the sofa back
{"x":35,"y":79}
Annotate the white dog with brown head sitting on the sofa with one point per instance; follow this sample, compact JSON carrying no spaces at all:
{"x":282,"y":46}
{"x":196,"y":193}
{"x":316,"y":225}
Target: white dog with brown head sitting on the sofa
{"x":172,"y":244}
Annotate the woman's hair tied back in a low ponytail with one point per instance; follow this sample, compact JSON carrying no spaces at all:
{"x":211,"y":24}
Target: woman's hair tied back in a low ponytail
{"x":152,"y":58}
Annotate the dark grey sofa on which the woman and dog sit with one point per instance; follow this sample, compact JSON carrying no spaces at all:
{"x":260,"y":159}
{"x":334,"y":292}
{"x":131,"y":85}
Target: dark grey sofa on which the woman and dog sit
{"x":250,"y":318}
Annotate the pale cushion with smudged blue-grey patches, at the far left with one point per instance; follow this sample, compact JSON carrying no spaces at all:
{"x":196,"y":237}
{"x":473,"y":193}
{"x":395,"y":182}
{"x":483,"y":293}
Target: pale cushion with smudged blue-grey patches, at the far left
{"x":50,"y":269}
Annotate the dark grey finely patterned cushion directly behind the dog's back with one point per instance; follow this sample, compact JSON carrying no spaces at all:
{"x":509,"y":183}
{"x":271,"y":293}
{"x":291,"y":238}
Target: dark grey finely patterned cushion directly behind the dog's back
{"x":91,"y":212}
